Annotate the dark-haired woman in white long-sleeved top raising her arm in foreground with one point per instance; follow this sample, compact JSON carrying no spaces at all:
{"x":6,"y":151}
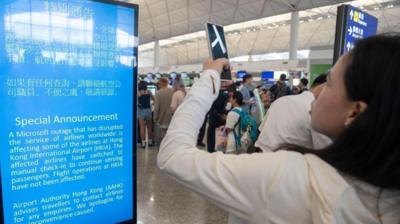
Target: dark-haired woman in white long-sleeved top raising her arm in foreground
{"x":354,"y":180}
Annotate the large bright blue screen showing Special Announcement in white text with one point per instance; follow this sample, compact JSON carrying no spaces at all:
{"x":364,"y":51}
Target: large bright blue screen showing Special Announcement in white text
{"x":67,"y":91}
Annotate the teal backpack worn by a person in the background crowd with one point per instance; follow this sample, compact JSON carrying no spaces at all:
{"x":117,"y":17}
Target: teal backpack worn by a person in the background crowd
{"x":248,"y":131}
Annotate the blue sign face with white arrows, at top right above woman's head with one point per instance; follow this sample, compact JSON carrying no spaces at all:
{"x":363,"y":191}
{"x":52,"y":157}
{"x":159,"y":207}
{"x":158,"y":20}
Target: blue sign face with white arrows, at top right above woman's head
{"x":359,"y":25}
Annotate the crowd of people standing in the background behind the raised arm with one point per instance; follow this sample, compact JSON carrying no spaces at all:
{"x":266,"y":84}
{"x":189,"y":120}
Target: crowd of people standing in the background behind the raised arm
{"x":221,"y":124}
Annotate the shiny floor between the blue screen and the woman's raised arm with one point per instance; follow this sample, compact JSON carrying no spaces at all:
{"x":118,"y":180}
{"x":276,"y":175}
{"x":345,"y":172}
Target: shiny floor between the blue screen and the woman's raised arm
{"x":161,"y":200}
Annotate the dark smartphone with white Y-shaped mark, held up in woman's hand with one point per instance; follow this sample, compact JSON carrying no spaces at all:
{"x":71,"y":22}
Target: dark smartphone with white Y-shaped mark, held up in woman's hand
{"x":217,"y":46}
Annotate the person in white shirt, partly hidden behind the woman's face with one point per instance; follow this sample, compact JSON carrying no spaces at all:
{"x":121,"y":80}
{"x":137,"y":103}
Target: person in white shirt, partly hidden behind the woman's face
{"x":288,"y":121}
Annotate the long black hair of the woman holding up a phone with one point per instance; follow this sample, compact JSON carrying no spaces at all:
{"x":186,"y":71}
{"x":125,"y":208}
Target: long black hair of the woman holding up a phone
{"x":369,"y":149}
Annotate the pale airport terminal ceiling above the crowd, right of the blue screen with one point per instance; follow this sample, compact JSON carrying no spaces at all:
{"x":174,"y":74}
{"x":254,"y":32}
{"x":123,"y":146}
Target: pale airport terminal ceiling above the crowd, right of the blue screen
{"x":253,"y":26}
